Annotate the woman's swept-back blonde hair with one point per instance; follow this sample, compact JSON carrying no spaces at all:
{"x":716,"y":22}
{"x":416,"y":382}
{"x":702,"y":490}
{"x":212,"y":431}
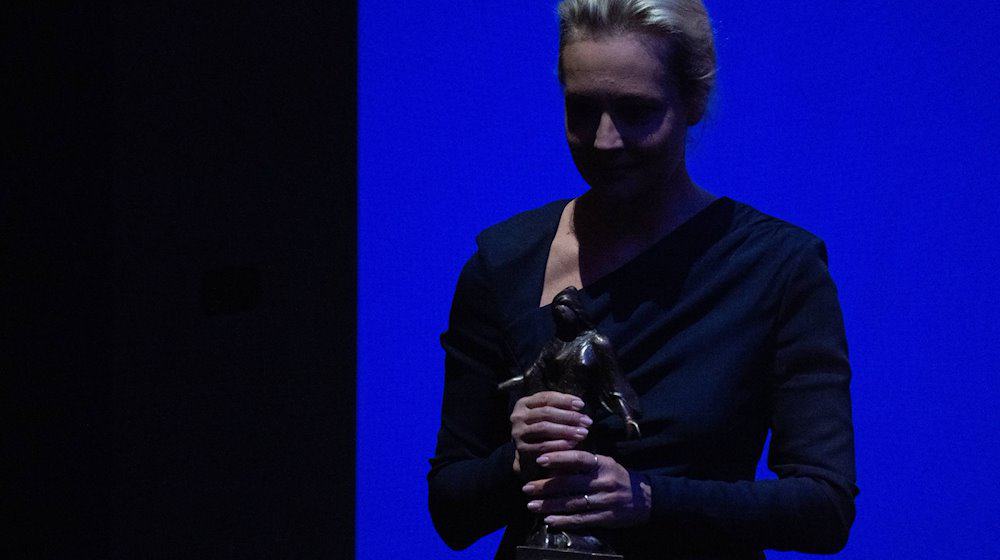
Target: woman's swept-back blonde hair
{"x":683,"y":24}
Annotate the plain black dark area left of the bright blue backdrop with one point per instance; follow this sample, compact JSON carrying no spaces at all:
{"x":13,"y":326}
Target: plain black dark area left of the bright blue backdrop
{"x":187,"y":278}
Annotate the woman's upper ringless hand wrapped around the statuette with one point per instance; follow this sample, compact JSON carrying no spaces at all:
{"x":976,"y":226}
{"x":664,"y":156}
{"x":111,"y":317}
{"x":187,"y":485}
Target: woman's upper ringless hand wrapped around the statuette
{"x":546,"y":421}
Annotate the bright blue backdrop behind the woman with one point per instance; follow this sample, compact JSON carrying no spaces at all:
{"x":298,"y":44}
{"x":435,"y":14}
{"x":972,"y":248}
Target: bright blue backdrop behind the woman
{"x":872,"y":124}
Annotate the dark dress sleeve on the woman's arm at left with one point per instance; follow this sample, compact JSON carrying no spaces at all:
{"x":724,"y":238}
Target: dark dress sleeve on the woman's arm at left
{"x":472,"y":487}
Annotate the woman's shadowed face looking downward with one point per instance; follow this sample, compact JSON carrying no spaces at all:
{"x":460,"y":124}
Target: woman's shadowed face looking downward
{"x":625,"y":121}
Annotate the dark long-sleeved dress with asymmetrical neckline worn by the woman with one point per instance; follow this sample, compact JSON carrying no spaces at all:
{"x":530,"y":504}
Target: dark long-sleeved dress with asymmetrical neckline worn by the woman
{"x":727,"y":327}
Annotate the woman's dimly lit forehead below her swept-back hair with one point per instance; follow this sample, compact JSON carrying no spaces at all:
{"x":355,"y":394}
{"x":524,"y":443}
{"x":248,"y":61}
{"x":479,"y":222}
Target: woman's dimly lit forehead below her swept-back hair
{"x":618,"y":64}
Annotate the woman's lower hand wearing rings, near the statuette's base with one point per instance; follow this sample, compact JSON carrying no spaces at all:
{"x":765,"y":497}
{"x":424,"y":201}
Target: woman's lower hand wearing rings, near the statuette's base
{"x":589,"y":491}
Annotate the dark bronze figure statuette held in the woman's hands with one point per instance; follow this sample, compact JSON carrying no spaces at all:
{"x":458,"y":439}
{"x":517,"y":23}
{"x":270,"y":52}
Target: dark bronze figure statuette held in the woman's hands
{"x":578,"y":361}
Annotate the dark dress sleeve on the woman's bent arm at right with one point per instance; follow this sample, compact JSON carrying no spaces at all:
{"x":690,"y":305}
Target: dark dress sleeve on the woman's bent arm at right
{"x":810,"y":508}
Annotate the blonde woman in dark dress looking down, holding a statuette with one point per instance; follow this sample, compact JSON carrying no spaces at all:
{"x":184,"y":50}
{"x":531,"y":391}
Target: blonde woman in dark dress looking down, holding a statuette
{"x":725,"y":321}
